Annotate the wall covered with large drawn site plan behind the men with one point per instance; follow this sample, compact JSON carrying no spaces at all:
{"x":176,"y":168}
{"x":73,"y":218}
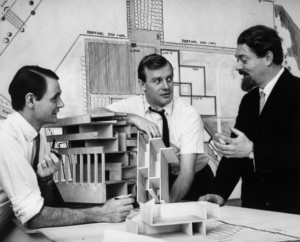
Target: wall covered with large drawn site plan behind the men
{"x":197,"y":36}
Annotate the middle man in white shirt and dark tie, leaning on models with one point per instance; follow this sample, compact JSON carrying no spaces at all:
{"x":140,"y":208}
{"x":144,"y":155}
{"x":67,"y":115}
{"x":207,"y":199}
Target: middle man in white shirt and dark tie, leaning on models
{"x":194,"y":175}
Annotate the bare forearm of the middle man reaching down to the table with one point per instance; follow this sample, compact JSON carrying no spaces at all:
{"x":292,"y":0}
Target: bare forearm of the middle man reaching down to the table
{"x":181,"y":186}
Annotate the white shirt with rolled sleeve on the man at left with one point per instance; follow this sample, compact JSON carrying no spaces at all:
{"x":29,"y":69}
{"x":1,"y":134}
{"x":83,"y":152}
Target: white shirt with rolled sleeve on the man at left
{"x":19,"y":190}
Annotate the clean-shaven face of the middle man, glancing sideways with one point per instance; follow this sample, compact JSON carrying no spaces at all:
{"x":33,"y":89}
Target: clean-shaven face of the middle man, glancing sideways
{"x":158,"y":87}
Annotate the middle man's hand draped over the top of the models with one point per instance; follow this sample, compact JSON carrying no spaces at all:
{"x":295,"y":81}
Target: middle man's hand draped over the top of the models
{"x":146,"y":126}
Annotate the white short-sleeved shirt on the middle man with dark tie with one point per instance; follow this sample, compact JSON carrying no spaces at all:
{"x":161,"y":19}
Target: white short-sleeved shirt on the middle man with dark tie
{"x":184,"y":122}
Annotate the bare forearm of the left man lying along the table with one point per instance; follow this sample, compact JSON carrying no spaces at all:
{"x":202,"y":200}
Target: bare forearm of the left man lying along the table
{"x":52,"y":217}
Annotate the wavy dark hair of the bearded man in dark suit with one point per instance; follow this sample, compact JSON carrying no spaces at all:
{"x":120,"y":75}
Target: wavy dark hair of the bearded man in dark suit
{"x":261,"y":39}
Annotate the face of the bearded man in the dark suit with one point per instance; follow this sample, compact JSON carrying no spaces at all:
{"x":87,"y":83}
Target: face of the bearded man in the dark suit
{"x":249,"y":65}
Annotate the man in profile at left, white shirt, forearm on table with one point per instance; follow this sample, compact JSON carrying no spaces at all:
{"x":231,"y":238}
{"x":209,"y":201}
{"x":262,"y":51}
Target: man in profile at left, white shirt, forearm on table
{"x":35,"y":94}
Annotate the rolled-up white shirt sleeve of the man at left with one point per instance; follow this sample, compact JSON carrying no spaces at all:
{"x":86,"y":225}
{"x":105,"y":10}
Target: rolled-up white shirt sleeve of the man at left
{"x":19,"y":182}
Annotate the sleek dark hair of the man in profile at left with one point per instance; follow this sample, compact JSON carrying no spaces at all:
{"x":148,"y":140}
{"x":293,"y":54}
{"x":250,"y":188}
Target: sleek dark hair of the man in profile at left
{"x":29,"y":79}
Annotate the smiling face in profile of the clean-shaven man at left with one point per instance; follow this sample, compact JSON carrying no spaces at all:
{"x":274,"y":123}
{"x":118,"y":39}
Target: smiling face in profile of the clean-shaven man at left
{"x":48,"y":106}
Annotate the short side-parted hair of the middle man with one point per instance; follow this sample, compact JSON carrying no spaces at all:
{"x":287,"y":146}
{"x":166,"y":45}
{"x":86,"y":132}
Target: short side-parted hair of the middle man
{"x":151,"y":62}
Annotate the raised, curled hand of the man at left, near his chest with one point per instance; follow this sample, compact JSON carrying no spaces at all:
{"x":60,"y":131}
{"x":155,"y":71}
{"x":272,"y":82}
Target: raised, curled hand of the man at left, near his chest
{"x":48,"y":166}
